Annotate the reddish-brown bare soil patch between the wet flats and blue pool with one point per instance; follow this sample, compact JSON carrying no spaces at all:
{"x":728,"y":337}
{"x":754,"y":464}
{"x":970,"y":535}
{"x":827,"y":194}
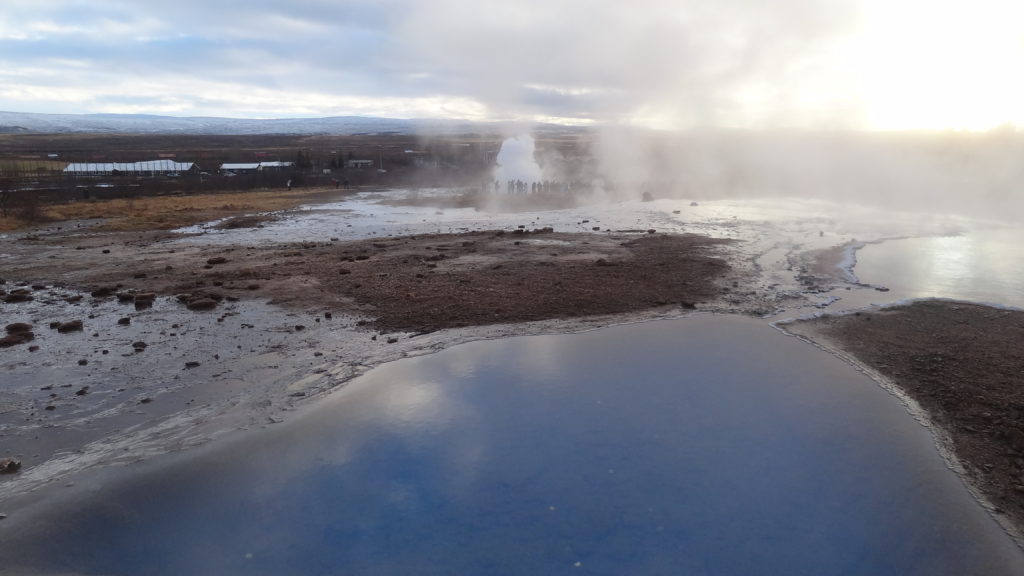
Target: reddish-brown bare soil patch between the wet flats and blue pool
{"x":416,"y":284}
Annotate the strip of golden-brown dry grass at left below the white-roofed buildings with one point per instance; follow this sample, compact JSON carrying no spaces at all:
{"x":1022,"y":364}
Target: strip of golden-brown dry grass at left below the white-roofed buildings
{"x":167,"y":213}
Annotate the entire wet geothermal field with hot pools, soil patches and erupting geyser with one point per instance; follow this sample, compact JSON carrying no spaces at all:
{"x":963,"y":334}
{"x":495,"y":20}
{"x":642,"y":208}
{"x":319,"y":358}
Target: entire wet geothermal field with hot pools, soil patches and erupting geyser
{"x":524,"y":371}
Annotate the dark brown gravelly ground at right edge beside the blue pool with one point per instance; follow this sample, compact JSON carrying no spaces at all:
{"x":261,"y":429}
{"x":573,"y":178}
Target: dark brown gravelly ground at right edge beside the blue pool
{"x":963,"y":365}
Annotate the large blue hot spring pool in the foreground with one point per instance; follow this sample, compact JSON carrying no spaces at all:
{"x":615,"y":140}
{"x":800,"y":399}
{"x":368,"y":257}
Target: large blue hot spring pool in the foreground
{"x":706,"y":445}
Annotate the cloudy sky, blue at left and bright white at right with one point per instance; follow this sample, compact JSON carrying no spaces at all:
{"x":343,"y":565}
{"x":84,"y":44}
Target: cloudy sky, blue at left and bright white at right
{"x":861,"y":65}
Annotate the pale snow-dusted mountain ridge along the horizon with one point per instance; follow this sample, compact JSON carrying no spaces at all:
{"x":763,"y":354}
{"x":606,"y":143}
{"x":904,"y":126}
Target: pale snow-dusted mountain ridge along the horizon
{"x":24,"y":122}
